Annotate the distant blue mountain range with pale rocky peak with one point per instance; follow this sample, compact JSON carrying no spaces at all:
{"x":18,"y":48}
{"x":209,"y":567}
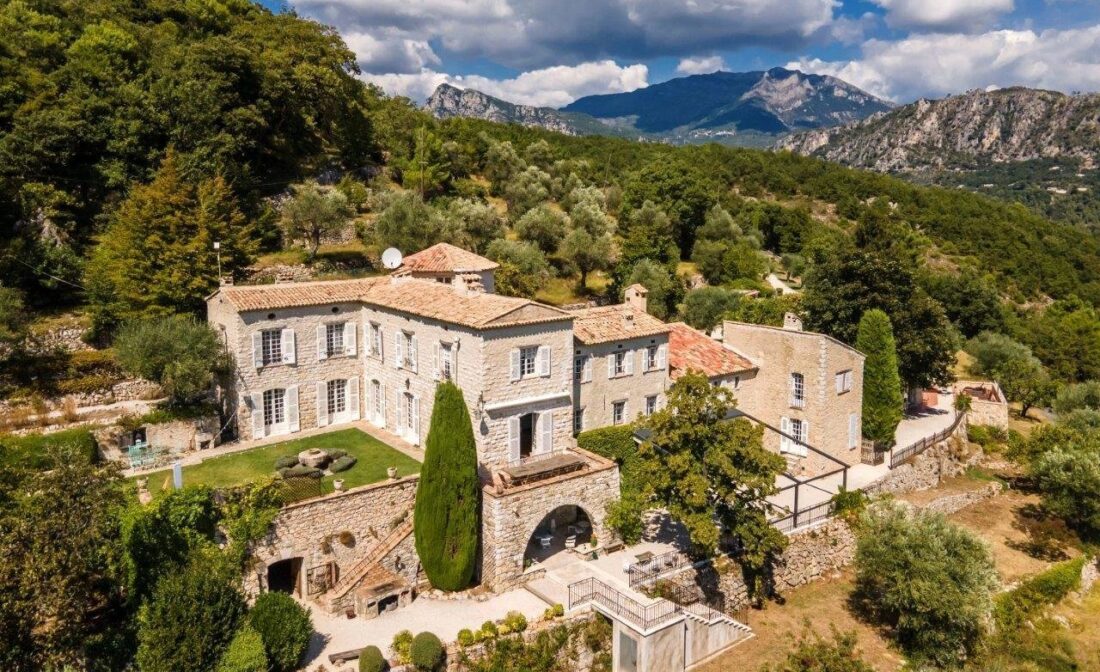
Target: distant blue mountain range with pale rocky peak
{"x":734,"y":108}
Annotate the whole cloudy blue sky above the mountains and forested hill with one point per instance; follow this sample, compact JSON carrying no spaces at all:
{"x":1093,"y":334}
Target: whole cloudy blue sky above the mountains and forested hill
{"x":551,"y":52}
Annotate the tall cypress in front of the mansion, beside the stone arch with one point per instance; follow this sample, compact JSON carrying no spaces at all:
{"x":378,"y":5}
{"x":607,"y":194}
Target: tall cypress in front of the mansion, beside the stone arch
{"x":448,"y":503}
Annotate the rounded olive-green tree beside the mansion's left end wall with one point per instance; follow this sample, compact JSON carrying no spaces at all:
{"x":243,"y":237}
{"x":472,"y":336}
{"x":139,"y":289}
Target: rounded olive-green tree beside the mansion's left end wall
{"x":180,"y":354}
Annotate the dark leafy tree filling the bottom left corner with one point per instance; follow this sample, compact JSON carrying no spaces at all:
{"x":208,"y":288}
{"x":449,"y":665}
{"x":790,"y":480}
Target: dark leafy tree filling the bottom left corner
{"x":62,"y":604}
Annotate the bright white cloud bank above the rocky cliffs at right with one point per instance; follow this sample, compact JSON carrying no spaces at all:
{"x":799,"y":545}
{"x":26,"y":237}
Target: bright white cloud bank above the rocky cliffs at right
{"x":937,"y":65}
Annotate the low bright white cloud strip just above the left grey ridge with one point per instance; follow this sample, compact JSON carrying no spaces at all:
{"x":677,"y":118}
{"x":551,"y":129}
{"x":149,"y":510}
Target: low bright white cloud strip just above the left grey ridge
{"x":547,"y":87}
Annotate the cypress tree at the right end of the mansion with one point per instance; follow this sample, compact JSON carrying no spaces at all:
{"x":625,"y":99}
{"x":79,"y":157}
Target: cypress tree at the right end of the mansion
{"x":883,"y":395}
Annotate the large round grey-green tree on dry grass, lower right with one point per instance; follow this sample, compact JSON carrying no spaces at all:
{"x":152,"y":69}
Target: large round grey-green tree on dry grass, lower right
{"x":931,"y":582}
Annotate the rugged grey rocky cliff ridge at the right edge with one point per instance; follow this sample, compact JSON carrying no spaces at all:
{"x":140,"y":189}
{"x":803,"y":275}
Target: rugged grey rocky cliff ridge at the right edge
{"x":964,"y":133}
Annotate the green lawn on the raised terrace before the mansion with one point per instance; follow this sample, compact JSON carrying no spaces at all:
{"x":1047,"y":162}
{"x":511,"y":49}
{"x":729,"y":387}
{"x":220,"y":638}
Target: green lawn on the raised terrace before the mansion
{"x":373,"y":458}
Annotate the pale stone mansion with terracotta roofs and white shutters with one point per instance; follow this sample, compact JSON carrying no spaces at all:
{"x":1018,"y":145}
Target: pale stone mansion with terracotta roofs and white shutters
{"x":325,"y":354}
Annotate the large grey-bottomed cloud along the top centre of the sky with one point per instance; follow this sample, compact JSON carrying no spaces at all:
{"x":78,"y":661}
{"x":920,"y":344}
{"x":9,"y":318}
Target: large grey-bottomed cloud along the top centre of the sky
{"x":531,"y":35}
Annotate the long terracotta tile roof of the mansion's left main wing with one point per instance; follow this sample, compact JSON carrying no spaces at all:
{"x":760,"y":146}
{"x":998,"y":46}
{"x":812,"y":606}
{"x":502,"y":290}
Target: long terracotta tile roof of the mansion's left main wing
{"x":424,"y":299}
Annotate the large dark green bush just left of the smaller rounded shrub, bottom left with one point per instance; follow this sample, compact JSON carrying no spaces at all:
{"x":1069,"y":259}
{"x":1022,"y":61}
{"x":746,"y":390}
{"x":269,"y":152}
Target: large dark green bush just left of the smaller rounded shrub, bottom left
{"x":192,"y":618}
